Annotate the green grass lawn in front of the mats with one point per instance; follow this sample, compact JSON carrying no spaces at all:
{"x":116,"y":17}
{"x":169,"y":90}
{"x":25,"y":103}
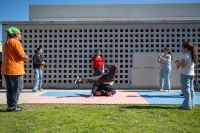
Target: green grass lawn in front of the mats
{"x":100,"y":118}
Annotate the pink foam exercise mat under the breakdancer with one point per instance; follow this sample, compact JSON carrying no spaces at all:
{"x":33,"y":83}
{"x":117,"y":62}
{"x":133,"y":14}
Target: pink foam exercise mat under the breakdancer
{"x":118,"y":98}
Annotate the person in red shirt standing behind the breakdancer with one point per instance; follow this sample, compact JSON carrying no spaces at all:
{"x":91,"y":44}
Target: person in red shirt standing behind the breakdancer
{"x":97,"y":65}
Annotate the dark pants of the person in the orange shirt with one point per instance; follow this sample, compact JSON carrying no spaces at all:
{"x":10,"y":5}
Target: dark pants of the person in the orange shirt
{"x":14,"y":87}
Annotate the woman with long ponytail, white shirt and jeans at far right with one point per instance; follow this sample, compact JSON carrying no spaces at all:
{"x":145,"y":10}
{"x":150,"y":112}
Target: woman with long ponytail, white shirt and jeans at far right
{"x":186,"y":71}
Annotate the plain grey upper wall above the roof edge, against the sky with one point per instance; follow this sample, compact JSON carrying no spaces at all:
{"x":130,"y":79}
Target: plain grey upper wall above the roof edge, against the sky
{"x":114,"y":12}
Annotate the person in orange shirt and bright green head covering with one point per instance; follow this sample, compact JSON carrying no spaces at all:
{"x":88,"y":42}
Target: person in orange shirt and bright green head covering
{"x":13,"y":67}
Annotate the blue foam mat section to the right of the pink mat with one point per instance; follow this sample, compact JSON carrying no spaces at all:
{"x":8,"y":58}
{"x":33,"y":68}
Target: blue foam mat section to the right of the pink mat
{"x":166,"y":97}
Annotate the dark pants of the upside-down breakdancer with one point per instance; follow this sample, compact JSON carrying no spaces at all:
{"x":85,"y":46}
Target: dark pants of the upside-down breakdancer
{"x":109,"y":77}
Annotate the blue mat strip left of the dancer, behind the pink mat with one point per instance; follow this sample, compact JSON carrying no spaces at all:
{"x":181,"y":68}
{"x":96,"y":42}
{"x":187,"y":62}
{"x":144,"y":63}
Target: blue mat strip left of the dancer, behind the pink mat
{"x":67,"y":93}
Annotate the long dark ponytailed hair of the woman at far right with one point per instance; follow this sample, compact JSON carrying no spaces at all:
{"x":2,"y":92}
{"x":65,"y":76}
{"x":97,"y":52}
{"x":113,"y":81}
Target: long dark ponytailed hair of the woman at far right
{"x":192,"y":49}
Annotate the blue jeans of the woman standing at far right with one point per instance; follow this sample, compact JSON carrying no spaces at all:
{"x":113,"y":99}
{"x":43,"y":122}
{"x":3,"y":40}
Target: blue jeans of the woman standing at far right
{"x":187,"y":89}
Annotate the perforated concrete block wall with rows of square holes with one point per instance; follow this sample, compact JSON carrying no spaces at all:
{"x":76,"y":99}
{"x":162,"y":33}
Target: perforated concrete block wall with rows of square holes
{"x":130,"y":38}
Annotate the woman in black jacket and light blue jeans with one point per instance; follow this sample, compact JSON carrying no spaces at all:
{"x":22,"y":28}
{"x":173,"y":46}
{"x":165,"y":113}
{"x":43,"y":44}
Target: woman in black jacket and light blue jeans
{"x":38,"y":66}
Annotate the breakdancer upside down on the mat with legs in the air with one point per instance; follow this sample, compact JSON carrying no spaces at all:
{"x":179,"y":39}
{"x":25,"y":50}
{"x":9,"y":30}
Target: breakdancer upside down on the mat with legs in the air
{"x":106,"y":80}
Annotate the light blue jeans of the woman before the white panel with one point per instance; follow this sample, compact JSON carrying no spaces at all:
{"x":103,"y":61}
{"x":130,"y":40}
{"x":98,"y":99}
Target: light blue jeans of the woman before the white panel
{"x":164,"y":76}
